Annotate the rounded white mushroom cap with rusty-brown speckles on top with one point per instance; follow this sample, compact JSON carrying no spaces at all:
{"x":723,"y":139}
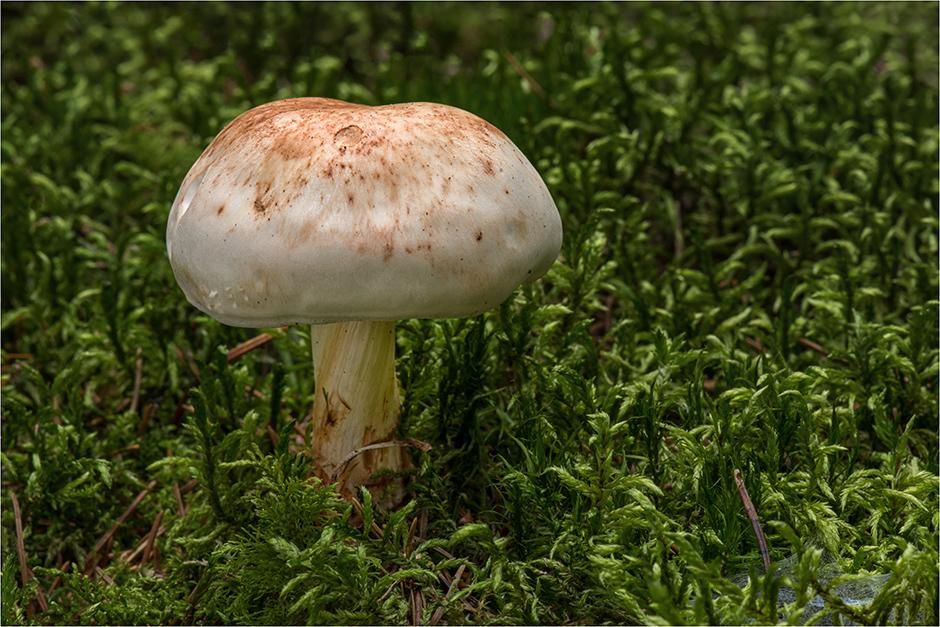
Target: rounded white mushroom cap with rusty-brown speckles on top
{"x":311,"y":210}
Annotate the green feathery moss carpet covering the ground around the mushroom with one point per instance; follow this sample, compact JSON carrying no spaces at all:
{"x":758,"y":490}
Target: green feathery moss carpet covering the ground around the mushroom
{"x":749,"y":280}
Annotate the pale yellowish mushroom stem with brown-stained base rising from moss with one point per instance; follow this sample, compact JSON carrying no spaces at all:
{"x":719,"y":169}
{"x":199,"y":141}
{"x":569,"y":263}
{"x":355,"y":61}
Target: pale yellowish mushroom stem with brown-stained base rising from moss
{"x":357,"y":402}
